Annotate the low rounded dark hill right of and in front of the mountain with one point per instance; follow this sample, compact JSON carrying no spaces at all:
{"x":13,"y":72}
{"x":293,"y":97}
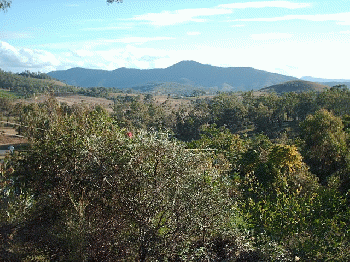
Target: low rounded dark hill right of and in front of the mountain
{"x":295,"y":86}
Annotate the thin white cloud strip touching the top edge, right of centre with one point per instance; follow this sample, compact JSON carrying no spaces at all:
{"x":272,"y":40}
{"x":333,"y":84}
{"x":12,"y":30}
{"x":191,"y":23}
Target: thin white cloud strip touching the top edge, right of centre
{"x":265,"y":4}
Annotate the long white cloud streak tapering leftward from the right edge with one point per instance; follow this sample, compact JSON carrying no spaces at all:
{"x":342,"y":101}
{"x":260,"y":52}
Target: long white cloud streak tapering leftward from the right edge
{"x":340,"y":18}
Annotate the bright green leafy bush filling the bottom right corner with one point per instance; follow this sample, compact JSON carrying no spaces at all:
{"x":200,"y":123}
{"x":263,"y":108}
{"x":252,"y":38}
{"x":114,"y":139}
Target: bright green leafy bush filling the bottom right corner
{"x":313,"y":226}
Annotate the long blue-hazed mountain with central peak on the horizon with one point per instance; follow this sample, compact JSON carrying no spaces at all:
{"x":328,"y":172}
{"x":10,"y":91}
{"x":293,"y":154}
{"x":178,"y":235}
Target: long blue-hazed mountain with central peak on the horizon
{"x":188,"y":73}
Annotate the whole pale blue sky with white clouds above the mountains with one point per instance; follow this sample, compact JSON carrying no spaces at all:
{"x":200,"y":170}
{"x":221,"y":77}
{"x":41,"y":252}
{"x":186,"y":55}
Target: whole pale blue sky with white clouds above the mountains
{"x":295,"y":38}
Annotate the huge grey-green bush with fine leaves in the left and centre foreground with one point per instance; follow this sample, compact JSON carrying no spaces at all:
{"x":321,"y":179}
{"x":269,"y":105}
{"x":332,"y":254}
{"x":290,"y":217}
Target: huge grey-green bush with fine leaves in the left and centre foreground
{"x":101,"y":194}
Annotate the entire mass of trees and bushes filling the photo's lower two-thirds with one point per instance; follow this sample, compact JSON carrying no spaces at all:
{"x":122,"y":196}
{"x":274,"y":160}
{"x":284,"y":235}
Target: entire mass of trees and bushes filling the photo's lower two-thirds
{"x":235,"y":177}
